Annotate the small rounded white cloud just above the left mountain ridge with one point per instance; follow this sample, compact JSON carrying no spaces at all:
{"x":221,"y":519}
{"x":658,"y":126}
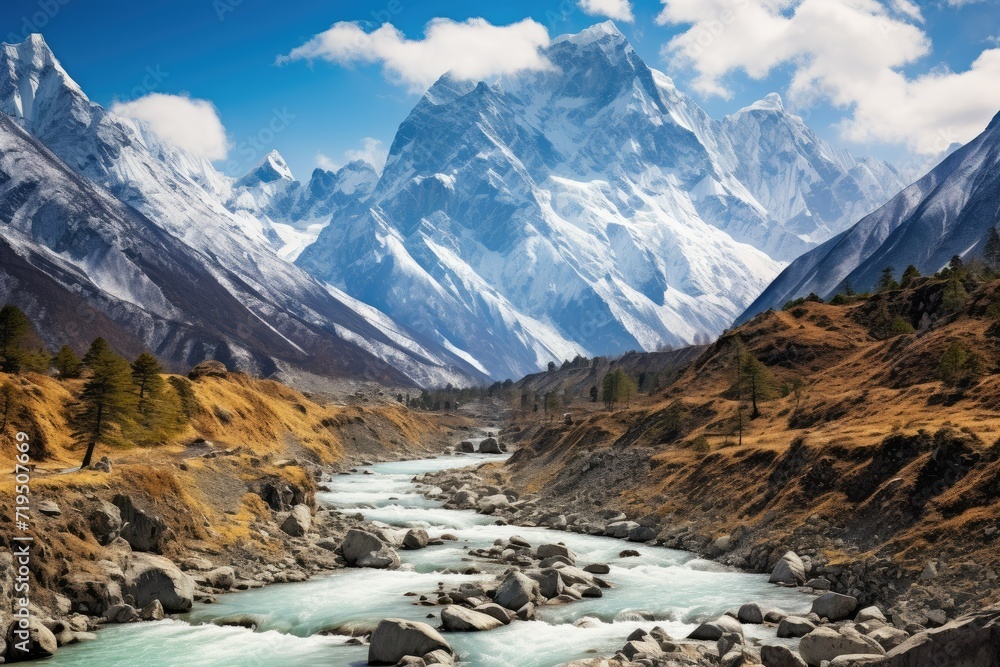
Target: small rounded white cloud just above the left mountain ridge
{"x":190,"y":124}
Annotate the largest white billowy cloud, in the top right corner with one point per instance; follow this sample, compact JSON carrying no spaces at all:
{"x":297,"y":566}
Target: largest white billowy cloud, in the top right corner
{"x":848,"y":52}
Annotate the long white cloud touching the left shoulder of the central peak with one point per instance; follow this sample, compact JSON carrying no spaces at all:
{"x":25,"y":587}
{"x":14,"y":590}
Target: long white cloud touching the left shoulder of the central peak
{"x":471,"y":50}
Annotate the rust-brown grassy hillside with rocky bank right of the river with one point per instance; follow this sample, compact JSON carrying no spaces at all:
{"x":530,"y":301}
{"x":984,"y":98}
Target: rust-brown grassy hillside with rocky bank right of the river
{"x":873,"y":467}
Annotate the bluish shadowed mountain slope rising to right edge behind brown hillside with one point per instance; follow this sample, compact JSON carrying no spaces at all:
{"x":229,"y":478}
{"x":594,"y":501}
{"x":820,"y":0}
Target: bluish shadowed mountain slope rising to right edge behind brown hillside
{"x":948,"y":212}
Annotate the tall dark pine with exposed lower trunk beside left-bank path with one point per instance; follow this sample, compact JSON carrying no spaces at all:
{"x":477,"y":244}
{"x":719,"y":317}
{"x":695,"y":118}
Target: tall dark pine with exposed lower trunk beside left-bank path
{"x":107,"y":400}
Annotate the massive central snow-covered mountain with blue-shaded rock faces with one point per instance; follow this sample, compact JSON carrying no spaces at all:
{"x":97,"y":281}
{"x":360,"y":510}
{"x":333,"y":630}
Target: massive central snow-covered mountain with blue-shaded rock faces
{"x":589,"y":208}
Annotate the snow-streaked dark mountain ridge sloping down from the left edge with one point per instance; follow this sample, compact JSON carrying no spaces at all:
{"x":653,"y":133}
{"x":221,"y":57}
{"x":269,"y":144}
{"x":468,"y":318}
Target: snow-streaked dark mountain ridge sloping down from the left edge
{"x":103,"y":227}
